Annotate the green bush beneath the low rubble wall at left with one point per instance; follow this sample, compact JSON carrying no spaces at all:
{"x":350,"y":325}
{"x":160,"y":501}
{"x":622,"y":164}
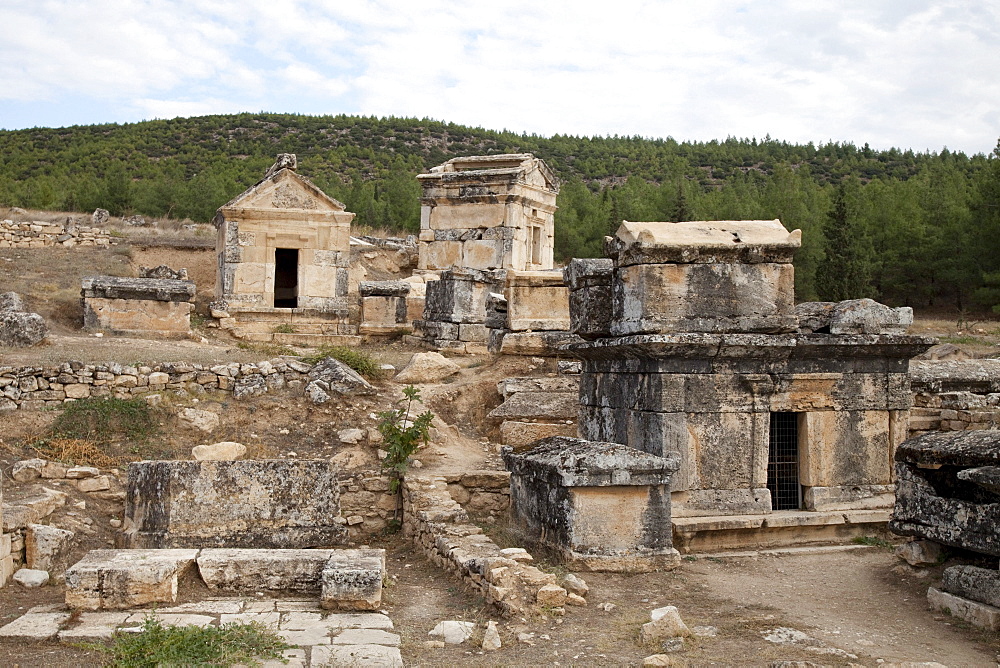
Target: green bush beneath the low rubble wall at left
{"x":104,"y":419}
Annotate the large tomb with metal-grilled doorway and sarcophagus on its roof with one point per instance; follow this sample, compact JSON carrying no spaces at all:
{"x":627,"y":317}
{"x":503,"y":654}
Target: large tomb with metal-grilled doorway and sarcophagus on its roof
{"x":700,"y":352}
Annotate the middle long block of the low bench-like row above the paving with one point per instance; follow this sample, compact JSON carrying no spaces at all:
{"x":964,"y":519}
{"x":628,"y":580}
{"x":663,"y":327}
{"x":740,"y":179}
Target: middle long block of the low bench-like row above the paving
{"x":263,"y":570}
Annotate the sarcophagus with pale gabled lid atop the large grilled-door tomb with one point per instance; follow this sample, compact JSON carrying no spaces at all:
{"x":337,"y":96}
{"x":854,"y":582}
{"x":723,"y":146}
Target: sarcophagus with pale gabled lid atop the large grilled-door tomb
{"x":718,"y":276}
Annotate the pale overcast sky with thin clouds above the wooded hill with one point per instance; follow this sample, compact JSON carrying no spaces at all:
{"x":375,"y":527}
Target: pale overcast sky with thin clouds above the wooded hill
{"x":906,"y":73}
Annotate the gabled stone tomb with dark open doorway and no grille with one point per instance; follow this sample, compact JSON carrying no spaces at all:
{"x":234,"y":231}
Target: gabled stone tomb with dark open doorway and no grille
{"x":284,"y":253}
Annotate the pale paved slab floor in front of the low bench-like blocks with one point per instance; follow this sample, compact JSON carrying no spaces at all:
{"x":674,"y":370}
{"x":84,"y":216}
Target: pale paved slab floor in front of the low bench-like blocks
{"x":321,"y":637}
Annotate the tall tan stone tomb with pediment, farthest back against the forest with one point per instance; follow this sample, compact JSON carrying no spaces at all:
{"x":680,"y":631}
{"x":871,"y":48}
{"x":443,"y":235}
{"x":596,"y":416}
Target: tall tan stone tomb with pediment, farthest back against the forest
{"x":488,"y":212}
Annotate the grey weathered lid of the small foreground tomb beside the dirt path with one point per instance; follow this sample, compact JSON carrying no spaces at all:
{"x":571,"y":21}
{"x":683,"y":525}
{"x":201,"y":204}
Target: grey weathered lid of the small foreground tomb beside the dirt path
{"x":574,"y":462}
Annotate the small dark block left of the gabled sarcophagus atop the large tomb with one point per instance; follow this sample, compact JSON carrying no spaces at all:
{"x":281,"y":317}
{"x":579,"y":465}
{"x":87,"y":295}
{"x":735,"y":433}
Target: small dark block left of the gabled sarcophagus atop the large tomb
{"x":589,"y":282}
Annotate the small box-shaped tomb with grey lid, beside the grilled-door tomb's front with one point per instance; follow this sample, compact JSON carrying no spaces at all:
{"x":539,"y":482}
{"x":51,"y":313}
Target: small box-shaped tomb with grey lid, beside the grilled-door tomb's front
{"x":602,"y":506}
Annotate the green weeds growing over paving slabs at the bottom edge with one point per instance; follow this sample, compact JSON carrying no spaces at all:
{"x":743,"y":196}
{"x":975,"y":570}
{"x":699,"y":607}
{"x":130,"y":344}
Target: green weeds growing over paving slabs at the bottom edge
{"x":159,"y":645}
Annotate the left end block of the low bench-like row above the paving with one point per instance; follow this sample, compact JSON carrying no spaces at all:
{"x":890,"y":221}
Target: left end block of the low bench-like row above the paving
{"x":126,"y":578}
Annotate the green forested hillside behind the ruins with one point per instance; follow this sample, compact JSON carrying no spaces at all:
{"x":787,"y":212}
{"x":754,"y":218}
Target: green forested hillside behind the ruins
{"x":907,"y":228}
